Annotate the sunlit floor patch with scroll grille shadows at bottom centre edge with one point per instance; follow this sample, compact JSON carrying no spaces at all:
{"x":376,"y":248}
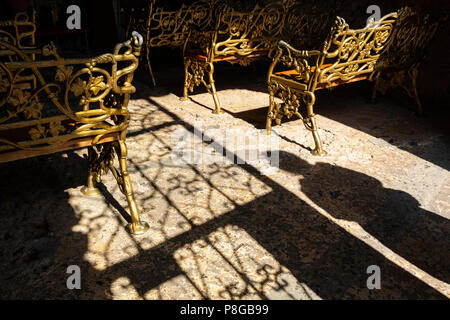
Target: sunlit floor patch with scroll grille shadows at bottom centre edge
{"x":230,"y":264}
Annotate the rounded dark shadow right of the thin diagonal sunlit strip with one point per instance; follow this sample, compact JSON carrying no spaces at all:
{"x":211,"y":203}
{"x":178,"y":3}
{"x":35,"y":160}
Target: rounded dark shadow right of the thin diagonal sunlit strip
{"x":392,"y":216}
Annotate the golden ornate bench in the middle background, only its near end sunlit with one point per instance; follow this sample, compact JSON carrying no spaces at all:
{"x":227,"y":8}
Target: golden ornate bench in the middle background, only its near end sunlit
{"x":238,"y":37}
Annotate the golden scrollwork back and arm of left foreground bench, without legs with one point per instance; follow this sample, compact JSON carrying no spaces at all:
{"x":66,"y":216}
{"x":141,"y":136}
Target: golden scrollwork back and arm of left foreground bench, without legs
{"x":73,"y":98}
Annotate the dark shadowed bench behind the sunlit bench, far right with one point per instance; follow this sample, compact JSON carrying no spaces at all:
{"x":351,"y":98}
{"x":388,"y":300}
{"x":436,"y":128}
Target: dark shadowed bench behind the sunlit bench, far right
{"x":399,"y":65}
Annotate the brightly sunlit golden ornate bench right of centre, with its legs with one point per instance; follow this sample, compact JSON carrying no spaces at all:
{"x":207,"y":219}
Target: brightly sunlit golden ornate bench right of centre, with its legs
{"x":347,"y":55}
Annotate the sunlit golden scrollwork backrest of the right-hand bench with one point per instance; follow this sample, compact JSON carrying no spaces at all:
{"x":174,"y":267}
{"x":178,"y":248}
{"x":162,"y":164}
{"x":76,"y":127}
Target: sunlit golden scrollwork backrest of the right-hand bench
{"x":349,"y":53}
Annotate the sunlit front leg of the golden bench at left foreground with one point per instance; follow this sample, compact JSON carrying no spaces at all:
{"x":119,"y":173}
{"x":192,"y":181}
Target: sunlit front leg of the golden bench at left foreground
{"x":136,"y":226}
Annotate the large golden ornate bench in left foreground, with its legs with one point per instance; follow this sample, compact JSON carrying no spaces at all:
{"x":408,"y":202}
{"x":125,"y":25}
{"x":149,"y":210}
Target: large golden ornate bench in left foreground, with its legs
{"x":76,"y":103}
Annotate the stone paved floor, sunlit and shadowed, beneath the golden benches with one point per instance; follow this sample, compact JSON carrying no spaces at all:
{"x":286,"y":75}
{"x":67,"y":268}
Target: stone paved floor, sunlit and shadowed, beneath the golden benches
{"x":226,"y":231}
